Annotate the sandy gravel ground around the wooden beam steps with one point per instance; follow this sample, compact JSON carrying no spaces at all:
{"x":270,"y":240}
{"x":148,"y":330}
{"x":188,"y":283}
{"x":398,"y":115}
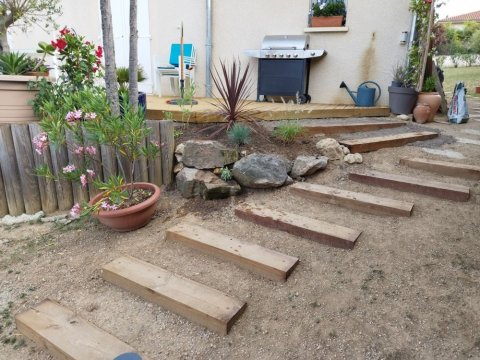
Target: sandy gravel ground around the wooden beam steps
{"x":408,"y":290}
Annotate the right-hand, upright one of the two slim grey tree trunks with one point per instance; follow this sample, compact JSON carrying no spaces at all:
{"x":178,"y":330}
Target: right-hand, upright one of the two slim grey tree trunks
{"x":133,"y":58}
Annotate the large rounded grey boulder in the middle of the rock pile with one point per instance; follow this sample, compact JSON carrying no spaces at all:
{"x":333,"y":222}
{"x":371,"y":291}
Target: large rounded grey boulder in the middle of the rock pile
{"x":262,"y":170}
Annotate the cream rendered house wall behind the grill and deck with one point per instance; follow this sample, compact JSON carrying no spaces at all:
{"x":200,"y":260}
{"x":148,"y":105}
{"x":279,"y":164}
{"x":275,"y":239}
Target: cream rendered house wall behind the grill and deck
{"x":367,"y":48}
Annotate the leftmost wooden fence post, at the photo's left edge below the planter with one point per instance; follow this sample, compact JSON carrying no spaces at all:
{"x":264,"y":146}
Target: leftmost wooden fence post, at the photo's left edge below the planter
{"x":11,"y":177}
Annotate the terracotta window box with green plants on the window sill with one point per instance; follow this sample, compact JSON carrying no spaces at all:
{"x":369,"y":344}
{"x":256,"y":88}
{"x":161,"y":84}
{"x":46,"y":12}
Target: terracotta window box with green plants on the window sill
{"x":328,"y":14}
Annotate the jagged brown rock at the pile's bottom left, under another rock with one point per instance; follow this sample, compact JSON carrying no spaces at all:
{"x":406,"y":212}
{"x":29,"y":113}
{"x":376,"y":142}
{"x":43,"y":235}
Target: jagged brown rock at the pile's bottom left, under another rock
{"x":194,"y":182}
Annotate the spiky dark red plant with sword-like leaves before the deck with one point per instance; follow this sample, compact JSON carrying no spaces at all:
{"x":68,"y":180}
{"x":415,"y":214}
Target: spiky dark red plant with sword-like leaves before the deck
{"x":234,"y":85}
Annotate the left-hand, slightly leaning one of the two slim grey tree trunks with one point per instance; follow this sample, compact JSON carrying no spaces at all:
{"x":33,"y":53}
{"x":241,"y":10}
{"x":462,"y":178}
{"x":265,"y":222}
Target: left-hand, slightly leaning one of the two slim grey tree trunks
{"x":111,"y":83}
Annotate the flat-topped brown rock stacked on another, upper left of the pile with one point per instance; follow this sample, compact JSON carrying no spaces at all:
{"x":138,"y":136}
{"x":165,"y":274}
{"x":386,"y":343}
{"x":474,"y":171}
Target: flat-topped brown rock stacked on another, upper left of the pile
{"x":207,"y":154}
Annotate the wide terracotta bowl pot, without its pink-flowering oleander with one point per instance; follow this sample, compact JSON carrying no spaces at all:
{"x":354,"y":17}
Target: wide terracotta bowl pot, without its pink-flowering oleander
{"x":131,"y":218}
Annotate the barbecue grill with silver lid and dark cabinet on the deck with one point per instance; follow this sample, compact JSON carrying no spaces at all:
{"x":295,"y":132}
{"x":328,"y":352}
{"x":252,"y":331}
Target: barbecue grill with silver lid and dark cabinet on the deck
{"x":284,"y":66}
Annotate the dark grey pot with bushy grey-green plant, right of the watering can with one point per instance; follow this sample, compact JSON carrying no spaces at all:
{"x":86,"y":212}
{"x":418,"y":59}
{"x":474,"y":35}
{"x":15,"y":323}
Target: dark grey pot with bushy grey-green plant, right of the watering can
{"x":401,"y":94}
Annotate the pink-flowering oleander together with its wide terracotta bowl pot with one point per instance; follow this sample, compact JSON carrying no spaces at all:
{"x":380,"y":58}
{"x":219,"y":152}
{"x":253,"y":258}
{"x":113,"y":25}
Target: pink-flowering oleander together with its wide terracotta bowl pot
{"x":123,"y":205}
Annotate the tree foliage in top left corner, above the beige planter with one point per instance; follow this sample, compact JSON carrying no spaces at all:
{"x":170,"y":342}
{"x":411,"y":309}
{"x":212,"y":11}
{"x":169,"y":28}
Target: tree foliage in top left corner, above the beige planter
{"x":24,"y":14}
